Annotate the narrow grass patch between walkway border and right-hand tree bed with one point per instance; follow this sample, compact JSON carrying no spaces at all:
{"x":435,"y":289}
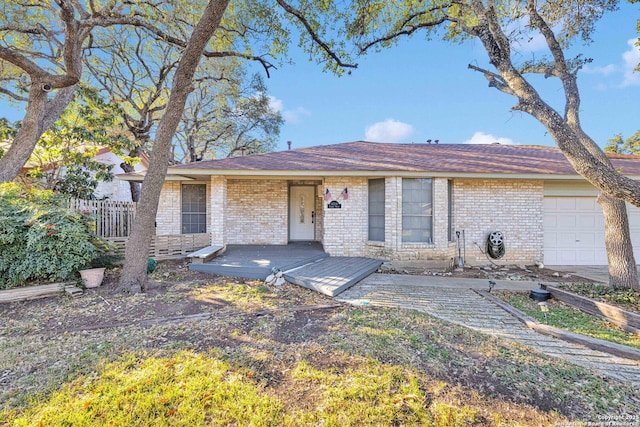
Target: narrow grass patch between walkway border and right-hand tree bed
{"x":566,"y":317}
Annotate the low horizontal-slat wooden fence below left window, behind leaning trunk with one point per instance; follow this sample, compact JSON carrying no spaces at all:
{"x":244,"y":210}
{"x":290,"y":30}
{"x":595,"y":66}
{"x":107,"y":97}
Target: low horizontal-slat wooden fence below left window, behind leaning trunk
{"x":166,"y":246}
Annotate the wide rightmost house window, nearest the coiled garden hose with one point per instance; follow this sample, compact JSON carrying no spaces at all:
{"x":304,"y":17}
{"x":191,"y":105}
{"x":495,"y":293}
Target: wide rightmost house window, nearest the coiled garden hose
{"x":417,"y":210}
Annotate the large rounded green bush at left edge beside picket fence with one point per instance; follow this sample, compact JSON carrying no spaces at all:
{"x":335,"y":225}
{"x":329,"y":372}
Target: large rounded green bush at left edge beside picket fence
{"x":40,"y":238}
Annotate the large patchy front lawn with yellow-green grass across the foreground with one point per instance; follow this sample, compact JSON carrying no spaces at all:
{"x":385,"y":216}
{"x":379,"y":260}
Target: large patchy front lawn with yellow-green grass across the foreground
{"x":256,"y":362}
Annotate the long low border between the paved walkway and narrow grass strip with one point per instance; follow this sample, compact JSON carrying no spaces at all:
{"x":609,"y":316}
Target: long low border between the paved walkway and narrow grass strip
{"x":592,"y":343}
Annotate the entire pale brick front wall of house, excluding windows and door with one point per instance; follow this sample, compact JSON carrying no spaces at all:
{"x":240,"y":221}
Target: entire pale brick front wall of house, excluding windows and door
{"x":256,"y":212}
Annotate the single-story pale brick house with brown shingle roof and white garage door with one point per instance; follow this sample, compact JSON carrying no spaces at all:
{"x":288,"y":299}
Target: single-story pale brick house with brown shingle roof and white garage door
{"x":397,"y":201}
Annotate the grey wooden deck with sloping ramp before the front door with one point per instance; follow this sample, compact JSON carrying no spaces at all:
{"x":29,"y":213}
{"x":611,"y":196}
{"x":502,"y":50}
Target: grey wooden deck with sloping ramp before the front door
{"x":303,"y":263}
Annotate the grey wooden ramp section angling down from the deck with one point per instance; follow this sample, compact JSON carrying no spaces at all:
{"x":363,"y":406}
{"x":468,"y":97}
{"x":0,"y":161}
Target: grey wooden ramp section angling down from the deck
{"x":332,"y":275}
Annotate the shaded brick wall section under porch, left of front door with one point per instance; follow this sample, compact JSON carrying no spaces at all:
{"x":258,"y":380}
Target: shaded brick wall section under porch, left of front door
{"x":257,"y":212}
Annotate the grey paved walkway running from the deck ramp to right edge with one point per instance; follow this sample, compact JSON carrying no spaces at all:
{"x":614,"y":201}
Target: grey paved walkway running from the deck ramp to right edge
{"x":453,"y":300}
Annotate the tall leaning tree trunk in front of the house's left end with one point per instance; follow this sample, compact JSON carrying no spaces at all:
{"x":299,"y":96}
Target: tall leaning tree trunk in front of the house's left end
{"x":134,"y":272}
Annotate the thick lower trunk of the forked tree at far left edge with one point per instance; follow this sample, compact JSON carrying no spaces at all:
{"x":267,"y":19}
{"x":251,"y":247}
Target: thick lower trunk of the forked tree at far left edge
{"x":40,"y":116}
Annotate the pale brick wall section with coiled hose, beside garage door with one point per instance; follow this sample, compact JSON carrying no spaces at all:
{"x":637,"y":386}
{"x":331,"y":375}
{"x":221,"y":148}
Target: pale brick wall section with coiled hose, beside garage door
{"x":513,"y":207}
